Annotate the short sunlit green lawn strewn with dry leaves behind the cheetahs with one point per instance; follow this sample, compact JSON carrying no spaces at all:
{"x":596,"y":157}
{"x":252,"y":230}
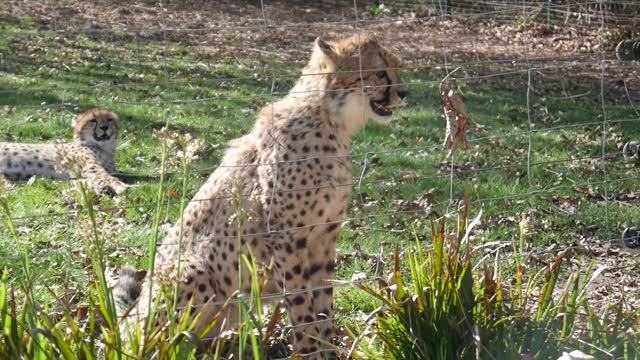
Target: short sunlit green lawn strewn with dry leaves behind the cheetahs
{"x":45,"y":80}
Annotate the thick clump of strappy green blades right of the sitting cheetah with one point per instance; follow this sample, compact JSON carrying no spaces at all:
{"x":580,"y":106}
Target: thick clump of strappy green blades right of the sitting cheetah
{"x":442,"y":309}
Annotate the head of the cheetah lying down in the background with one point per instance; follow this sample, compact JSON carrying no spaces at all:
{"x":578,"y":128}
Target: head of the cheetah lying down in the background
{"x":96,"y":127}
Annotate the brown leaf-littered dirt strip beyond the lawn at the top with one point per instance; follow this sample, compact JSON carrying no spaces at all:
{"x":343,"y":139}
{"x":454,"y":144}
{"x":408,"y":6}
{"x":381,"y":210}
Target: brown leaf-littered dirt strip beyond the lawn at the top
{"x":483,"y":40}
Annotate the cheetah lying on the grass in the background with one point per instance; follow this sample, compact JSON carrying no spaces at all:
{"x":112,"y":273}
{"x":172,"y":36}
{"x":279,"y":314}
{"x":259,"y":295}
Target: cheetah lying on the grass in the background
{"x":95,"y":134}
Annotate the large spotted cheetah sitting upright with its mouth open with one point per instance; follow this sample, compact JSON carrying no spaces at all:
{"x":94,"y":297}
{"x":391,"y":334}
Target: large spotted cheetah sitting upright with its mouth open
{"x":291,"y":176}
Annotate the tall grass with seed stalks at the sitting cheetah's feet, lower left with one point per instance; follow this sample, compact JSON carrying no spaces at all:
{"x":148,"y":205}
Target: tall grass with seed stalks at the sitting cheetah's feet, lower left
{"x":28,"y":331}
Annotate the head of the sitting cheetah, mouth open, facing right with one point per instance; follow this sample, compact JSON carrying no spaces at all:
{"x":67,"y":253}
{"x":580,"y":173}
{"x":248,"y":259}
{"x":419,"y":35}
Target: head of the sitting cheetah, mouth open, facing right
{"x":364,"y":81}
